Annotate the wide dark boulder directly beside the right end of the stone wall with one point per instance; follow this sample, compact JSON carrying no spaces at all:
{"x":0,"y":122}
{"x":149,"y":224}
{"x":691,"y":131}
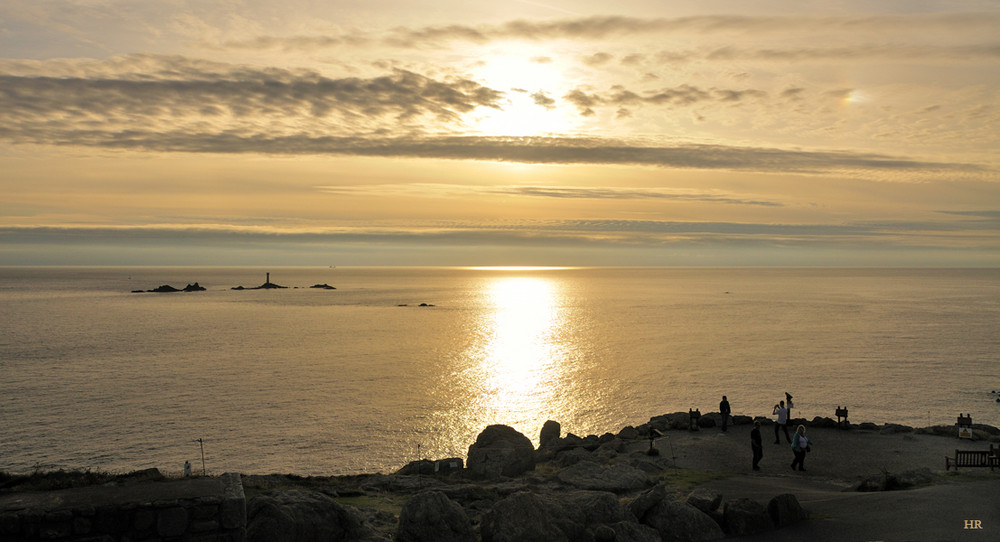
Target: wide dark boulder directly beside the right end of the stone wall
{"x":303,"y":516}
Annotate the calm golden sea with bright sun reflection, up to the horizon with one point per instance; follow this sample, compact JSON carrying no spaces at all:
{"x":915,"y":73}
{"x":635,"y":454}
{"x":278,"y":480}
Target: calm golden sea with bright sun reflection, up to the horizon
{"x":396,"y":364}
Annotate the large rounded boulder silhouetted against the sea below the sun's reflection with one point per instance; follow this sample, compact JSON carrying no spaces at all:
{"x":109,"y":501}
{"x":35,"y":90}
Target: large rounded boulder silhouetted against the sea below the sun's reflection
{"x":500,"y":451}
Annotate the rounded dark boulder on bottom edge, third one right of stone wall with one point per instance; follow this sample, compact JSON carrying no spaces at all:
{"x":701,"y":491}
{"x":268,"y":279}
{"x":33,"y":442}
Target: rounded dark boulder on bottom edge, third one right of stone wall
{"x":522,"y":517}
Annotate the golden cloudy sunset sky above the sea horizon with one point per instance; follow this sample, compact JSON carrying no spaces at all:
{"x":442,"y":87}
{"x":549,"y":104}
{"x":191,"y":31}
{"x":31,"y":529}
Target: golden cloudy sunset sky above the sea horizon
{"x":457,"y":132}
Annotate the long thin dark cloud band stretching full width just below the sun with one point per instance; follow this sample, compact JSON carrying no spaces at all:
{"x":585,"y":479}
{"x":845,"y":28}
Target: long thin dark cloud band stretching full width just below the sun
{"x":533,"y":150}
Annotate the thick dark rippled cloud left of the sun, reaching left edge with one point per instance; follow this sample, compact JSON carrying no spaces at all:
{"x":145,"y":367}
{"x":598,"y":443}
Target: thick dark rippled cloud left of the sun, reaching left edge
{"x":245,"y":97}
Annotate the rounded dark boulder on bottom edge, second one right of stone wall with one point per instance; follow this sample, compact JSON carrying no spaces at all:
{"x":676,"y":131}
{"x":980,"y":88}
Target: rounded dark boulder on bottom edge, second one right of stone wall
{"x":430,"y":516}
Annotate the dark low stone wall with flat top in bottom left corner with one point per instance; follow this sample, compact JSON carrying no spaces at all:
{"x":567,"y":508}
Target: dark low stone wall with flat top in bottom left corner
{"x":195,"y":510}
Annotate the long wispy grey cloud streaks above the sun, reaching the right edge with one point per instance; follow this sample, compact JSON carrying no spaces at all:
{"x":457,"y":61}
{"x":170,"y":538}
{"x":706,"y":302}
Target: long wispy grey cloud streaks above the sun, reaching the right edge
{"x":877,"y":28}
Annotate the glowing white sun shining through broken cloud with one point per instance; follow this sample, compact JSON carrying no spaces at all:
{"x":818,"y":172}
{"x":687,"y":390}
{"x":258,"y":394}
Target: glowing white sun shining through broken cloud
{"x":532,"y":87}
